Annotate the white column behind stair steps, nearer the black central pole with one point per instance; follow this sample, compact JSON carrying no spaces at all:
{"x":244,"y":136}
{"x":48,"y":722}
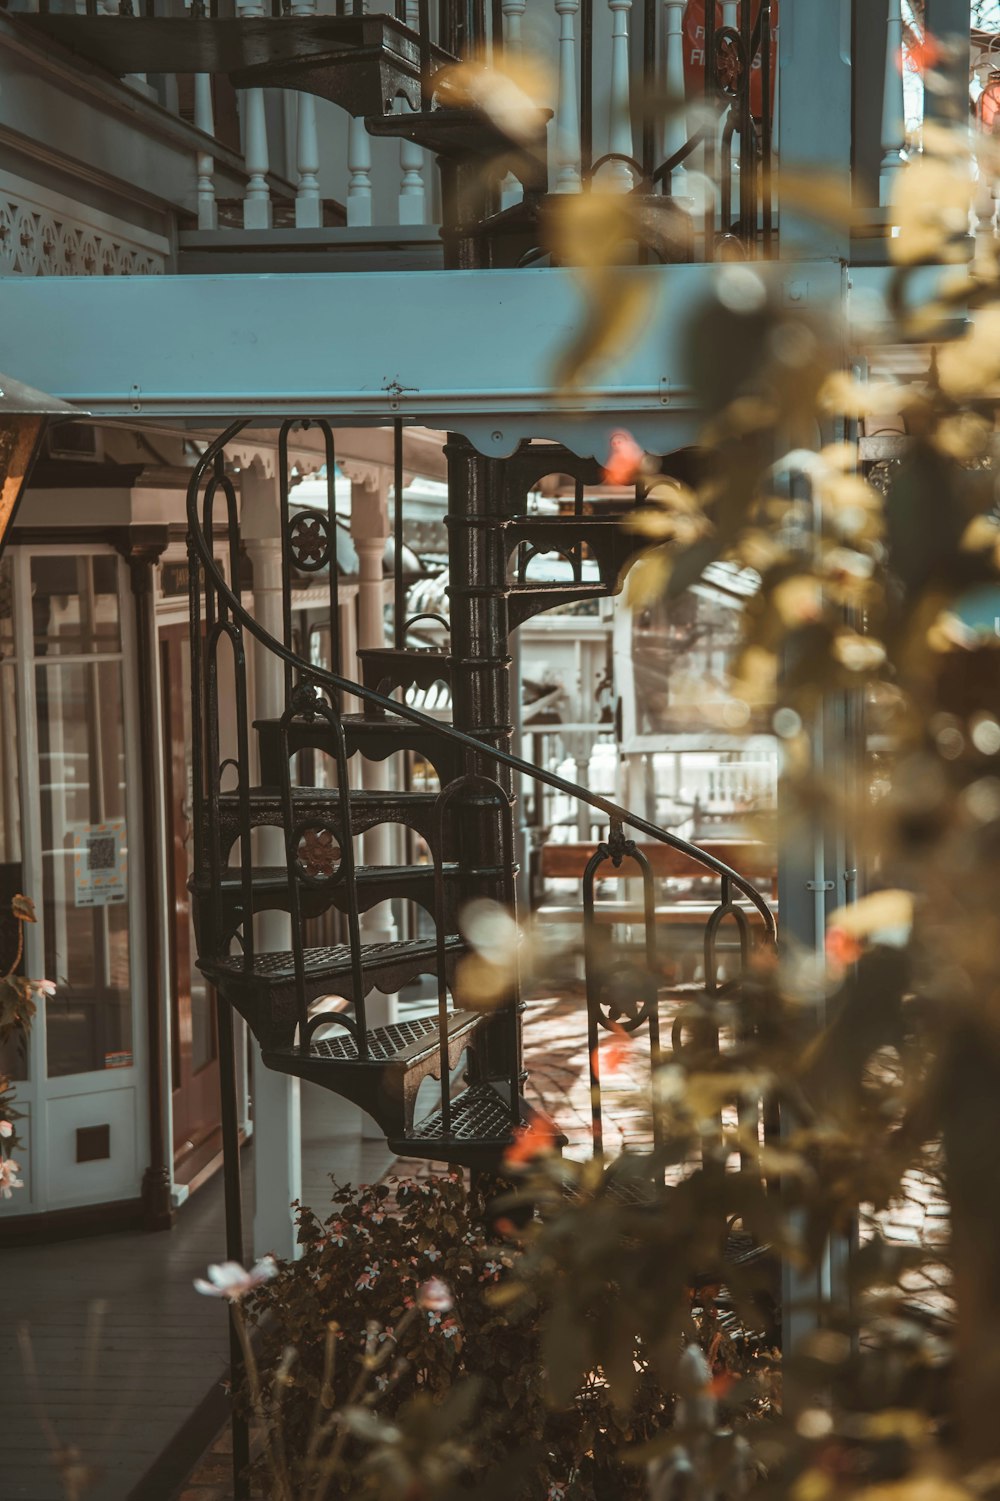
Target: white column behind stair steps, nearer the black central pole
{"x":370,"y":531}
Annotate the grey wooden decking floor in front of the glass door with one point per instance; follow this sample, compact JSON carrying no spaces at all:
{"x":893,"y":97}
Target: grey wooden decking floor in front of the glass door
{"x":161,"y":1350}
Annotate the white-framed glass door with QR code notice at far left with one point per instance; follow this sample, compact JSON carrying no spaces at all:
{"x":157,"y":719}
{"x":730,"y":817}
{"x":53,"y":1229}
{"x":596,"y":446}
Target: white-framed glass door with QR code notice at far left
{"x":76,"y":697}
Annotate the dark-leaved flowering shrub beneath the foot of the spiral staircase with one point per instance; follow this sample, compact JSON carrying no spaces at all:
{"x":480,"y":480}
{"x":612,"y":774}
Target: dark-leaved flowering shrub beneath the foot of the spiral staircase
{"x":414,"y":1286}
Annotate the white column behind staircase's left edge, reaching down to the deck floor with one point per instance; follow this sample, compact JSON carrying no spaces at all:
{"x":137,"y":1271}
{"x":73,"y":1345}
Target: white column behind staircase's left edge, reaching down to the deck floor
{"x":277,"y":1104}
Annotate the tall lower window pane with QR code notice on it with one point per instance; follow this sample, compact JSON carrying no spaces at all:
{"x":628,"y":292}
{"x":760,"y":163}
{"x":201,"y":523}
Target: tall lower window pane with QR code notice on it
{"x":85,"y":858}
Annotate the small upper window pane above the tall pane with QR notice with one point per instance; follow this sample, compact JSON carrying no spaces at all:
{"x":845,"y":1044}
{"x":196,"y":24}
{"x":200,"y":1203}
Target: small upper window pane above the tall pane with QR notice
{"x":76,"y":604}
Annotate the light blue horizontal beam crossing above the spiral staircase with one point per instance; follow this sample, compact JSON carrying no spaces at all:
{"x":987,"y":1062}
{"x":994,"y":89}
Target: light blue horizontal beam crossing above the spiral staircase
{"x":471,"y":352}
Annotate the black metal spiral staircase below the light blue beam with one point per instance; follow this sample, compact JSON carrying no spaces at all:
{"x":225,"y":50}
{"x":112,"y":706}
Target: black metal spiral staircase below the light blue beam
{"x":307,"y":1002}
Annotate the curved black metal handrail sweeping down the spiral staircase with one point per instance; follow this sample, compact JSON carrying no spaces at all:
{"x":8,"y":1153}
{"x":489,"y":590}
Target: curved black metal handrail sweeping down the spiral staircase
{"x":514,"y":763}
